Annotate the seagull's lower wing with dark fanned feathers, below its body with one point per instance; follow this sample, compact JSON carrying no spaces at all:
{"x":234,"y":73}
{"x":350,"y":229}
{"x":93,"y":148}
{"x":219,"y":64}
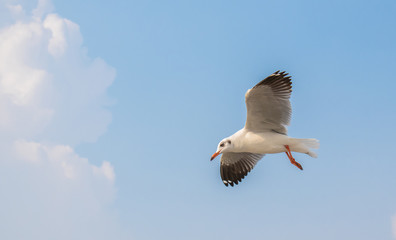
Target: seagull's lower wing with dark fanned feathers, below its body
{"x":235,"y":166}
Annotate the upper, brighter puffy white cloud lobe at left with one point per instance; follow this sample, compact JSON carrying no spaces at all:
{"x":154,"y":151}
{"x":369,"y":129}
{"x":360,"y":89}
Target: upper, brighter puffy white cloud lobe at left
{"x":49,"y":87}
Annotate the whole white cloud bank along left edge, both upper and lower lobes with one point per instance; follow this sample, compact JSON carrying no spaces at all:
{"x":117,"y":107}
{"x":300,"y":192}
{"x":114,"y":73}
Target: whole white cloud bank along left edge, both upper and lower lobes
{"x":52,"y":97}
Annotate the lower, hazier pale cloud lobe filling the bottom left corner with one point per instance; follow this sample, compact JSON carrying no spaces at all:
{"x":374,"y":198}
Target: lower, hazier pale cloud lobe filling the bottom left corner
{"x":49,"y":192}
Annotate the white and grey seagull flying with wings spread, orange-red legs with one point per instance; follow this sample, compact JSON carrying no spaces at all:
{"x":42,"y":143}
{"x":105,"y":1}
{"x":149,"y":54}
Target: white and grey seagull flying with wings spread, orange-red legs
{"x":268,"y":114}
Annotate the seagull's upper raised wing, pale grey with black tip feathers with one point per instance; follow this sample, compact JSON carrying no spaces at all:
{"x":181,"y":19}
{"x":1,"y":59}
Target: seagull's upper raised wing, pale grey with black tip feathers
{"x":268,"y":105}
